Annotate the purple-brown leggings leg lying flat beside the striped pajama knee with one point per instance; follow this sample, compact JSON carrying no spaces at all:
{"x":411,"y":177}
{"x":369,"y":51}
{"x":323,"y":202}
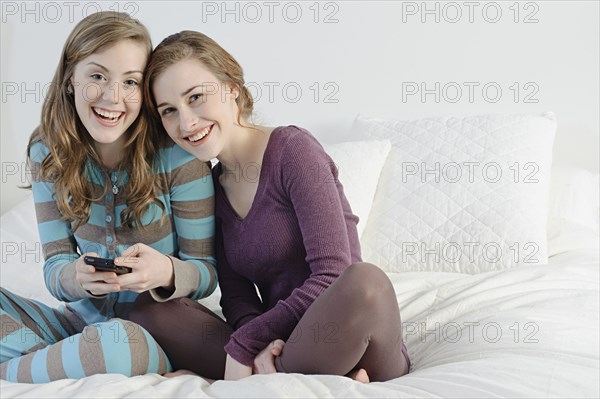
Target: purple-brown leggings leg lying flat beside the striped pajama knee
{"x":192,"y":336}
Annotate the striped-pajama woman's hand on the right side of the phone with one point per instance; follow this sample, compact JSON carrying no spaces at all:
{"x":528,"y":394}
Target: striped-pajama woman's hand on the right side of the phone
{"x":150,"y":269}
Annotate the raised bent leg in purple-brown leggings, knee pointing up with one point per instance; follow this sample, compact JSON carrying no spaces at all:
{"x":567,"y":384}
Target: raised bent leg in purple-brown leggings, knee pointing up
{"x":355,"y":323}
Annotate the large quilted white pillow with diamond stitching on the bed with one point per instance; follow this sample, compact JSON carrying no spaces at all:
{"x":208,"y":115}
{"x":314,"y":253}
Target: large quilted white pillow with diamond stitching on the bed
{"x":462,"y":195}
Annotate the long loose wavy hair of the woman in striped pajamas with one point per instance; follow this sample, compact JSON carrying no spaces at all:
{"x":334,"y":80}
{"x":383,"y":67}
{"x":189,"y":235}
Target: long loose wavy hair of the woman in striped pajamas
{"x":71,"y":146}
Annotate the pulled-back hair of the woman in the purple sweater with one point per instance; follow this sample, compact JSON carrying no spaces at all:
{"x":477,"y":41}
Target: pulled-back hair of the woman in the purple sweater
{"x":195,"y":45}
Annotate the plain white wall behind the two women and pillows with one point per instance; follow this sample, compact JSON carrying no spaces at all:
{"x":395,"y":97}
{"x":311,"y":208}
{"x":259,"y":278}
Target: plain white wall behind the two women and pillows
{"x":365,"y":60}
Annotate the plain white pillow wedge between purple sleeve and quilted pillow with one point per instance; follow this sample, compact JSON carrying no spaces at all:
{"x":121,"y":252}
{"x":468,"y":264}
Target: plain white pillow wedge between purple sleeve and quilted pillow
{"x":359,"y":165}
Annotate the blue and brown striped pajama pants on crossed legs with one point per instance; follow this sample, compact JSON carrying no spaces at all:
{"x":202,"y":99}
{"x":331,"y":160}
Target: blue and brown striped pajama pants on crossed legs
{"x":40,"y":344}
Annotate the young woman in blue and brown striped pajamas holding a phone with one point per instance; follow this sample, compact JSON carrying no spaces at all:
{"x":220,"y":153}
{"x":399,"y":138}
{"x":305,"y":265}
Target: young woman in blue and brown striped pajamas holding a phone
{"x":105,"y":184}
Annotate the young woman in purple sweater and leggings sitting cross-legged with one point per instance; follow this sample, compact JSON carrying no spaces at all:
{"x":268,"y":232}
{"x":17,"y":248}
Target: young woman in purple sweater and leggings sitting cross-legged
{"x":284,"y":229}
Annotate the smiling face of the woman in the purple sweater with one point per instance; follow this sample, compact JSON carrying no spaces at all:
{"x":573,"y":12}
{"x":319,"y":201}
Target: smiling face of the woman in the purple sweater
{"x":197,"y":110}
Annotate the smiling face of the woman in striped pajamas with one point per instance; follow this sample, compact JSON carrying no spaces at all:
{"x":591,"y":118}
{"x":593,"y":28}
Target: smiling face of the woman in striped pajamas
{"x":107,"y":96}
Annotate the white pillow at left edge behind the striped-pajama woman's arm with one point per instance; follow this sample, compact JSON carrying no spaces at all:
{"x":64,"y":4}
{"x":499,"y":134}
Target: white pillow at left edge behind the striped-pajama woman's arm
{"x":21,"y":269}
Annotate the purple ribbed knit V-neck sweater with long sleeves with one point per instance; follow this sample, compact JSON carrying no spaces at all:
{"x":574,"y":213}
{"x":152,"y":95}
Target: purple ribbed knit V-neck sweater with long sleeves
{"x":298,"y":237}
